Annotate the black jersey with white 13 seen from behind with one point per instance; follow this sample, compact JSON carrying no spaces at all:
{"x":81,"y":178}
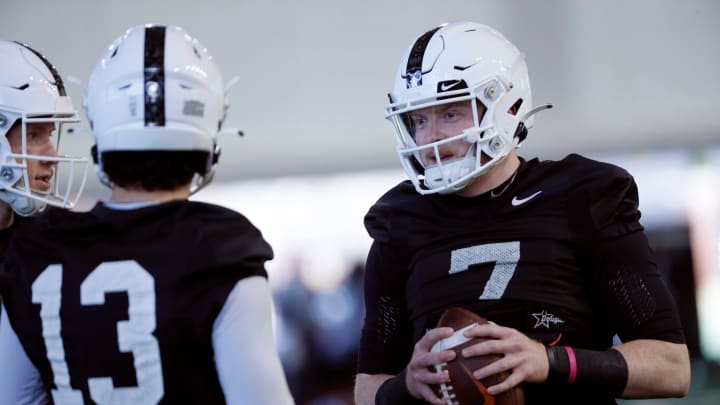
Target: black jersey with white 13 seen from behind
{"x":120,"y":305}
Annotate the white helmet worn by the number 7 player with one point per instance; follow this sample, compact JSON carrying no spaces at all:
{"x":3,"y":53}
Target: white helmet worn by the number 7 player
{"x":451,"y":63}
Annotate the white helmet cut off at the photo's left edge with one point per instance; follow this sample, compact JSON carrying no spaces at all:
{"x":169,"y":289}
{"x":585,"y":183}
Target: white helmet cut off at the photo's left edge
{"x":31,"y":91}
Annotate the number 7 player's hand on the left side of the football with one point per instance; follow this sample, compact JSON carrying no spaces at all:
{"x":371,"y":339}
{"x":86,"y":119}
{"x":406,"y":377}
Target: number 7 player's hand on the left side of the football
{"x":420,"y":375}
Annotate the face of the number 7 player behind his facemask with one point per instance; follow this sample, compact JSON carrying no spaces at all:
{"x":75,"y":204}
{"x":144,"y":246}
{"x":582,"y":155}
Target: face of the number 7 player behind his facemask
{"x":440,"y":122}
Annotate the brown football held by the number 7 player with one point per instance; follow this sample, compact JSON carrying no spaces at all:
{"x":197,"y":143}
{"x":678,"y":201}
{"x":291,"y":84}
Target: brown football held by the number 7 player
{"x":463,"y":388}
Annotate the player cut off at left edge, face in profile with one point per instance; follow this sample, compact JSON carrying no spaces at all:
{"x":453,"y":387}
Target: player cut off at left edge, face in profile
{"x":34,"y":111}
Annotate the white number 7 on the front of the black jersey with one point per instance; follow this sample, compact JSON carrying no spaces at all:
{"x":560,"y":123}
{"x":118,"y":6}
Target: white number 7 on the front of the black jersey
{"x":505,"y":255}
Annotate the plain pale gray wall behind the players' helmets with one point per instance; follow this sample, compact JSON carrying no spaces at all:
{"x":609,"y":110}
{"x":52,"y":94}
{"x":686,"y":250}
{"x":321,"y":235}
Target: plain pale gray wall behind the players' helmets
{"x":623,"y":75}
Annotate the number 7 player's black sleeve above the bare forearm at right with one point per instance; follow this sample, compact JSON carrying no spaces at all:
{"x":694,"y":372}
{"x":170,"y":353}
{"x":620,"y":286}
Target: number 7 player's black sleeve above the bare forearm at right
{"x":629,"y":290}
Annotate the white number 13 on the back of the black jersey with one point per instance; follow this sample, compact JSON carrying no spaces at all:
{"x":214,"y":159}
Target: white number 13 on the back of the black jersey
{"x":134,"y":335}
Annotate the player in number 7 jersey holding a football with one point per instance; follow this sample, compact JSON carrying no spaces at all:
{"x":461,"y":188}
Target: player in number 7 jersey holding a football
{"x":552,"y":252}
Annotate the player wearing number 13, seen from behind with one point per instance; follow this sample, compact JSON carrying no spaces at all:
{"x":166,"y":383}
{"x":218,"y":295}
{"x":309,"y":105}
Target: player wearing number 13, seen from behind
{"x":149,"y":297}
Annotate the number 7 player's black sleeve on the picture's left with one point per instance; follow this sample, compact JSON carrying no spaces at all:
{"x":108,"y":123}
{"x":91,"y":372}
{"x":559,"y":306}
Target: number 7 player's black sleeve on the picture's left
{"x":386,"y":339}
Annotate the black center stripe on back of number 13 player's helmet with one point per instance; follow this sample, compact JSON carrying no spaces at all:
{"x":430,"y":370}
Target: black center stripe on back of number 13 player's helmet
{"x":154,"y":76}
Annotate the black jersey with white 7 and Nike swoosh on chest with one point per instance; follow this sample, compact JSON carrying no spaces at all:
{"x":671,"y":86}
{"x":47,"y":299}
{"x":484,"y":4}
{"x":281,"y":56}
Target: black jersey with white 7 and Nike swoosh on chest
{"x":556,"y":252}
